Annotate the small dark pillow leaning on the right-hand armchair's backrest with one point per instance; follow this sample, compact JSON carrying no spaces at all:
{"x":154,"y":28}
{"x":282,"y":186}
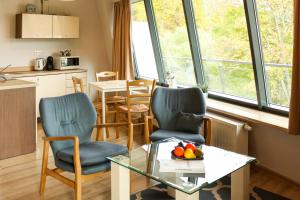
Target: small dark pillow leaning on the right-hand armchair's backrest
{"x":189,"y":122}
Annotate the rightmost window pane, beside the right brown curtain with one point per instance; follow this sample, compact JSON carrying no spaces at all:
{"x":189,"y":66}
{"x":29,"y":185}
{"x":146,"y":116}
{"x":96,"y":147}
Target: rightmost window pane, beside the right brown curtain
{"x":276,"y":26}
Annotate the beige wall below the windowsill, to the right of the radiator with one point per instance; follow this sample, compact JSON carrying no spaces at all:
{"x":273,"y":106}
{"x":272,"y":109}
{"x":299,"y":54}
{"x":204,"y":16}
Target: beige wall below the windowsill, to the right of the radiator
{"x":276,"y":150}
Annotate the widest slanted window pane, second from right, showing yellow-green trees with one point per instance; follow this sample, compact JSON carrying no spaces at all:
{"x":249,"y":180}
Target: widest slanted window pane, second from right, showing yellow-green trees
{"x":225,"y":47}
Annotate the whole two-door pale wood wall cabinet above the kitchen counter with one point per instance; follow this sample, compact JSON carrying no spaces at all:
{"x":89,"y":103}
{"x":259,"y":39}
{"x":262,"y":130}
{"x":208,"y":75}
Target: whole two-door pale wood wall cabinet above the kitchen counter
{"x":46,"y":26}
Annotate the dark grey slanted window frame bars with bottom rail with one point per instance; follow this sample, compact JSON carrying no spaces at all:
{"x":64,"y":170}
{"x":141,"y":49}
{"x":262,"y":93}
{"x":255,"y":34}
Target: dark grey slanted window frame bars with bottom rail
{"x":254,"y":35}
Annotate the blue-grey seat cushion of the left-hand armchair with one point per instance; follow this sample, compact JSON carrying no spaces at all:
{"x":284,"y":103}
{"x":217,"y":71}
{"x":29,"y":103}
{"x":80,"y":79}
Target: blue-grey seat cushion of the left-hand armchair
{"x":93,"y":153}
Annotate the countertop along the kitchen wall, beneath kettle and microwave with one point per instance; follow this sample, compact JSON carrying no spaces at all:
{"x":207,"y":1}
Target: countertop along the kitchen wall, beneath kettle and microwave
{"x":42,"y":73}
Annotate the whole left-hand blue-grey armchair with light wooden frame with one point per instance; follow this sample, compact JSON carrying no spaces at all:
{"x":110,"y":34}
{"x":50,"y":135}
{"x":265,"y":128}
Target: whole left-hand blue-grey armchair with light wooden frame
{"x":68,"y":122}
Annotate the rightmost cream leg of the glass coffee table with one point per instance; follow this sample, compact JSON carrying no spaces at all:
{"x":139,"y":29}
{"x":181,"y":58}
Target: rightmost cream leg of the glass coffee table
{"x":240,"y":183}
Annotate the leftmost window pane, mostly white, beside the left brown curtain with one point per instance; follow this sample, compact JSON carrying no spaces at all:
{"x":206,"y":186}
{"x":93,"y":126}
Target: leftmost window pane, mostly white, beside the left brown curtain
{"x":142,"y":42}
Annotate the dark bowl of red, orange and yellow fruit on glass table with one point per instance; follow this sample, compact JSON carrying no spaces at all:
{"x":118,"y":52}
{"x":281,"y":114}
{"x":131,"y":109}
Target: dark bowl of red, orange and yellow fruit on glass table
{"x":187,"y":151}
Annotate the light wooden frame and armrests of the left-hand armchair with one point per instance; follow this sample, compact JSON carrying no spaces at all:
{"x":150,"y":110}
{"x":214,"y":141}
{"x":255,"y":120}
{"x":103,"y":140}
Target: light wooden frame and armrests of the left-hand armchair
{"x":76,"y":184}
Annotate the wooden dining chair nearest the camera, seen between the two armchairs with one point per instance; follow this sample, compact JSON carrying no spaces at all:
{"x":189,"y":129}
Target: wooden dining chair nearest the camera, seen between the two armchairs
{"x":139,"y":94}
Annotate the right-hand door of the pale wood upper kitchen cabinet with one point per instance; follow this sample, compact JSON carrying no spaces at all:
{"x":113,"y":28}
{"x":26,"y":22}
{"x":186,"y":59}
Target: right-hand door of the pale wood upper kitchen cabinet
{"x":65,"y":27}
